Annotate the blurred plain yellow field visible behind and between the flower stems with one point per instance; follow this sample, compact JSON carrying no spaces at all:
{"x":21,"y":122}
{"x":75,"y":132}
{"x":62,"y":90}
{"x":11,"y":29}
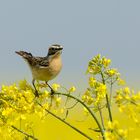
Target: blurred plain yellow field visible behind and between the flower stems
{"x":52,"y":129}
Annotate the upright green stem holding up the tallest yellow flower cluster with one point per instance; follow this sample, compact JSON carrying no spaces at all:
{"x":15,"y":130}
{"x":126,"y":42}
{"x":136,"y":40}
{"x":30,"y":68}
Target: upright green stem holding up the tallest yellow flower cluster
{"x":107,"y":100}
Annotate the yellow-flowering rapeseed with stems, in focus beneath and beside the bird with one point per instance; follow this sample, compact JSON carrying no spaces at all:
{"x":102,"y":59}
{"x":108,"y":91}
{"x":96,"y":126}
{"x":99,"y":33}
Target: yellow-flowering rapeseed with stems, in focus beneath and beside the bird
{"x":17,"y":104}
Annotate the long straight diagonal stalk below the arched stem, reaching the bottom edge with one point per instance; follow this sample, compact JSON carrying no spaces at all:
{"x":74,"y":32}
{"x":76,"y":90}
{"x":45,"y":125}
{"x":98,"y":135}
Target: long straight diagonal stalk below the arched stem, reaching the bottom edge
{"x":62,"y":120}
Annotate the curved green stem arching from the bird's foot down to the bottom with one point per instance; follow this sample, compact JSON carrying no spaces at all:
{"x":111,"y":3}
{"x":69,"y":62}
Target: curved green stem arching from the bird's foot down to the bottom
{"x":92,"y":114}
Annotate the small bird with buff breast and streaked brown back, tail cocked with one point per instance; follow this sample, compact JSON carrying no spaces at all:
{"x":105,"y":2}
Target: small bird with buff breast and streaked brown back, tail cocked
{"x":44,"y":68}
